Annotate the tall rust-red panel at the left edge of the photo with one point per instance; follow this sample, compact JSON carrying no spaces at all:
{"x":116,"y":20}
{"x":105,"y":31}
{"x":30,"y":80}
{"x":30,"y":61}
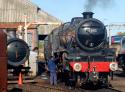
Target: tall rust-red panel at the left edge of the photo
{"x":3,"y":62}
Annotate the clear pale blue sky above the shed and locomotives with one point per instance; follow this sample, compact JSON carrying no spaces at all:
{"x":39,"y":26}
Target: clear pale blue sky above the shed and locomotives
{"x":108,"y":11}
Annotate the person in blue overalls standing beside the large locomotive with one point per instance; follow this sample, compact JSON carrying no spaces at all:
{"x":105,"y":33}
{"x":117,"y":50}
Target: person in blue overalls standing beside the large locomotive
{"x":52,"y":70}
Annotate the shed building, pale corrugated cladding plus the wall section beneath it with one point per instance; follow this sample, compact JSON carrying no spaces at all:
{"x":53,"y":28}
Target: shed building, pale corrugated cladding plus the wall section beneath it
{"x":18,"y":14}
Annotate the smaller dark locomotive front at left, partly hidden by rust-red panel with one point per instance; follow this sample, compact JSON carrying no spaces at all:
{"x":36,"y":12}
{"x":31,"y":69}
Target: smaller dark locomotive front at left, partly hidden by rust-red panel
{"x":18,"y":52}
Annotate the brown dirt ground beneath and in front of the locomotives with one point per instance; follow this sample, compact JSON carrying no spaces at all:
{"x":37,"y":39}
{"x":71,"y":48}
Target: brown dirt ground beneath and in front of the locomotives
{"x":118,"y":85}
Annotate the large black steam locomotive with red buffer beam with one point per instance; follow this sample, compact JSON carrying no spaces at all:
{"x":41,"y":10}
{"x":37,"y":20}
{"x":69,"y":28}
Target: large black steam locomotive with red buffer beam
{"x":82,"y":46}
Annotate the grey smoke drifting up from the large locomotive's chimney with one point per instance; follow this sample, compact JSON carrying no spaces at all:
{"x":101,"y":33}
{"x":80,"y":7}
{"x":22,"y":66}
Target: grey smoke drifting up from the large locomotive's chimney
{"x":91,"y":4}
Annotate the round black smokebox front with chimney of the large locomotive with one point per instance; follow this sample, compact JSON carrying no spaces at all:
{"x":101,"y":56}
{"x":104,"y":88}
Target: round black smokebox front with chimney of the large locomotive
{"x":91,"y":33}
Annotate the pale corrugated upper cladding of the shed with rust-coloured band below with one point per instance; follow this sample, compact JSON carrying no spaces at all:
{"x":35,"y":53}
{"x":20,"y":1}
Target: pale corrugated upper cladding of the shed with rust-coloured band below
{"x":14,"y":12}
